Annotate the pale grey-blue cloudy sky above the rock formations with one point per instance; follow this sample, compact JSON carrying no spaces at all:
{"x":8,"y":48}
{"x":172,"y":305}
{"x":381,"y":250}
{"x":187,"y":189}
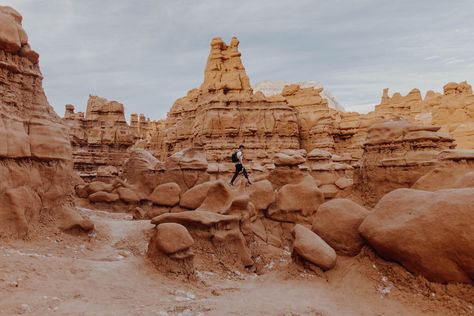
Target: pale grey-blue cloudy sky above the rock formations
{"x":148,"y":53}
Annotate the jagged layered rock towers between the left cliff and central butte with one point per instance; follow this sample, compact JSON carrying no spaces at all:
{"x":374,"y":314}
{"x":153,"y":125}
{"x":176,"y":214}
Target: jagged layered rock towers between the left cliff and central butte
{"x":101,"y":136}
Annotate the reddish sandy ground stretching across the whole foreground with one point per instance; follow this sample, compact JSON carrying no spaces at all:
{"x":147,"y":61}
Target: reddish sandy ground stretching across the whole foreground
{"x":108,"y":273}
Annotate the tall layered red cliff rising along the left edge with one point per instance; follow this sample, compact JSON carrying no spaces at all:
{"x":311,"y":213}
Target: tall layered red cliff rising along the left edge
{"x":35,"y":154}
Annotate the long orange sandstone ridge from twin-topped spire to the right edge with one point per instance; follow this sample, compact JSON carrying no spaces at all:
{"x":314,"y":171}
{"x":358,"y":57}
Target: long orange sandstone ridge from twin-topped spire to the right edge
{"x":225,"y":112}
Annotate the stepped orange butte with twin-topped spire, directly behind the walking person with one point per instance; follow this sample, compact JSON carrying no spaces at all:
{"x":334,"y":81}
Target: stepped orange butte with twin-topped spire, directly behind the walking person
{"x":224,"y":113}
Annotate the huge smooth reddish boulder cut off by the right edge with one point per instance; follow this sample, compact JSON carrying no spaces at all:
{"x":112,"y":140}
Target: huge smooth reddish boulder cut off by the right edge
{"x":429,"y":233}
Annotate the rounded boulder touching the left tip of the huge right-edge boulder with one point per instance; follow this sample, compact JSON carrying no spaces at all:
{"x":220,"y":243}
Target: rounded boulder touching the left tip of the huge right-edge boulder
{"x":337,"y":222}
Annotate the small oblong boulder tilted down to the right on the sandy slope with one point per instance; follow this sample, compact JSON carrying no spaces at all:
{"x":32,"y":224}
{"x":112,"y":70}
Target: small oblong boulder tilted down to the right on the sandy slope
{"x":312,"y":248}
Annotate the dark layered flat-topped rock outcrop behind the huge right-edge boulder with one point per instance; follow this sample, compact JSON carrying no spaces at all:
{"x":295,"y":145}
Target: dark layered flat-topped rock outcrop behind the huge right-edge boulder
{"x":396,"y":154}
